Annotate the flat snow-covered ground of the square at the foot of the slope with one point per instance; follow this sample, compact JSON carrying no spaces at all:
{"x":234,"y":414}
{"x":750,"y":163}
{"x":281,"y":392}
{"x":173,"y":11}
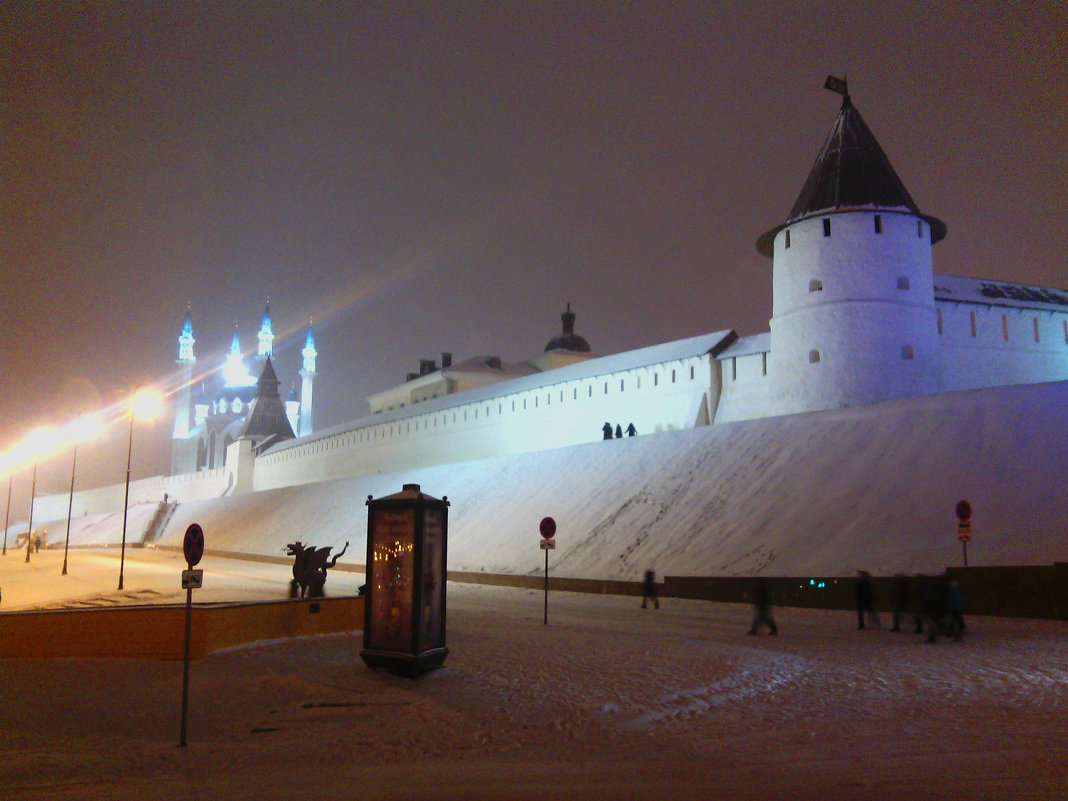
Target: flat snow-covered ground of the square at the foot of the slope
{"x":607,"y":702}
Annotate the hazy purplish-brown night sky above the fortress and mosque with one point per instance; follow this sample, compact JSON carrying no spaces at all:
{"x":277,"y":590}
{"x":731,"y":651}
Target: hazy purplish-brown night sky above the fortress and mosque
{"x":421,"y":178}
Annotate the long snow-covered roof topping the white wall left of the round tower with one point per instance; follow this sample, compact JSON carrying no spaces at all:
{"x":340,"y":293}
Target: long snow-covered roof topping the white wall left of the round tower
{"x":711,"y":343}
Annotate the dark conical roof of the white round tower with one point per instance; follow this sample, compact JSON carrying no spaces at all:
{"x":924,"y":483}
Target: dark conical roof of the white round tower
{"x":852,"y":171}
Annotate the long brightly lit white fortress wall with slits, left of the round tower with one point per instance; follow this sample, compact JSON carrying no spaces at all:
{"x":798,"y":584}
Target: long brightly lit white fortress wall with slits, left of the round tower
{"x":539,"y":414}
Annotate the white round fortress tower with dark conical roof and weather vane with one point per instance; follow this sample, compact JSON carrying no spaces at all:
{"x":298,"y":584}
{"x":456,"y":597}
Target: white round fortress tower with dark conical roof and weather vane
{"x":854,"y":320}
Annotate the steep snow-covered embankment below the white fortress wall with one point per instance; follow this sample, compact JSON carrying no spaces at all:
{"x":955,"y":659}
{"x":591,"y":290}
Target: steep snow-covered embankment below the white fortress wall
{"x":826,"y":493}
